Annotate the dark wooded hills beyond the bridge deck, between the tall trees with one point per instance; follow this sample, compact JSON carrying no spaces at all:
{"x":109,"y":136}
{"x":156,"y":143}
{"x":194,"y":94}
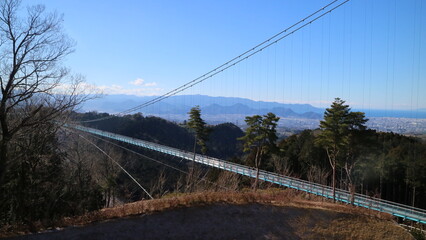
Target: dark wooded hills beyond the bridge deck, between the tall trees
{"x":387,"y":165}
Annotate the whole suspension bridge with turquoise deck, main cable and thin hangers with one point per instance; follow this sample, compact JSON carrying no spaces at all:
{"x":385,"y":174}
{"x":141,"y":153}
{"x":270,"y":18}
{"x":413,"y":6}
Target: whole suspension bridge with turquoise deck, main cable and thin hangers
{"x":396,"y":209}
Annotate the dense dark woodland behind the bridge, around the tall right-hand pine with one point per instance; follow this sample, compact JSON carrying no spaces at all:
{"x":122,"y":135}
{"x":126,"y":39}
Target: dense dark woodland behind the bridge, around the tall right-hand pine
{"x":392,"y":166}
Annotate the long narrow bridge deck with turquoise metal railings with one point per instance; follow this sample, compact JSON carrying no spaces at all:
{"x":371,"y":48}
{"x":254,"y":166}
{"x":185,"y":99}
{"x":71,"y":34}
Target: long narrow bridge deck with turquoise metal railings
{"x":396,"y":209}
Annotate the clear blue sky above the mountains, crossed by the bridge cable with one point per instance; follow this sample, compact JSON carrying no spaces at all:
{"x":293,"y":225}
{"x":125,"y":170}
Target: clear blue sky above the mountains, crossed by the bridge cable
{"x":369,"y":52}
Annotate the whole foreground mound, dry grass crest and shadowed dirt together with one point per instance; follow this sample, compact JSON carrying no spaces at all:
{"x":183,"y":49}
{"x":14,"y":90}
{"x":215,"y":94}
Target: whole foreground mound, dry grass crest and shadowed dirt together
{"x":271,"y":214}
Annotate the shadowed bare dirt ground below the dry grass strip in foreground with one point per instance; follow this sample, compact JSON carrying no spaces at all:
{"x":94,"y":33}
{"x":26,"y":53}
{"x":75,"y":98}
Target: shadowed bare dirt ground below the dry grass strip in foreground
{"x":224,"y":221}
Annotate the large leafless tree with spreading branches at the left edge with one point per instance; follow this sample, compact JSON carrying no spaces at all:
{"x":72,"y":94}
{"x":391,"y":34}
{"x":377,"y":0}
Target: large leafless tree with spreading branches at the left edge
{"x":35,"y":87}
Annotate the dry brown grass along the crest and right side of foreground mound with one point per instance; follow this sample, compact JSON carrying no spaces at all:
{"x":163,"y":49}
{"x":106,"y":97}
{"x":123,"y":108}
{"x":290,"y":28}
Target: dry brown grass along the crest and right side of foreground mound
{"x":344,"y":225}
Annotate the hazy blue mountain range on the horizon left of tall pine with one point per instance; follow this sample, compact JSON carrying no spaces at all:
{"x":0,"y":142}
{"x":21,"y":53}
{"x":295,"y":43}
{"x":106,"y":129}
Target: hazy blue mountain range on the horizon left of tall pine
{"x":180,"y":105}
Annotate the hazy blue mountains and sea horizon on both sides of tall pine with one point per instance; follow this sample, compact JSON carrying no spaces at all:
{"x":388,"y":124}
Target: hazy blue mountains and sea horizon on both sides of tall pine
{"x":225,"y":109}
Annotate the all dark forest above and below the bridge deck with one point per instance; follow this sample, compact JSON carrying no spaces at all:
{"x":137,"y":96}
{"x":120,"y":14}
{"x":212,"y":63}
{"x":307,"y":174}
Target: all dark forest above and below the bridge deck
{"x":61,"y":174}
